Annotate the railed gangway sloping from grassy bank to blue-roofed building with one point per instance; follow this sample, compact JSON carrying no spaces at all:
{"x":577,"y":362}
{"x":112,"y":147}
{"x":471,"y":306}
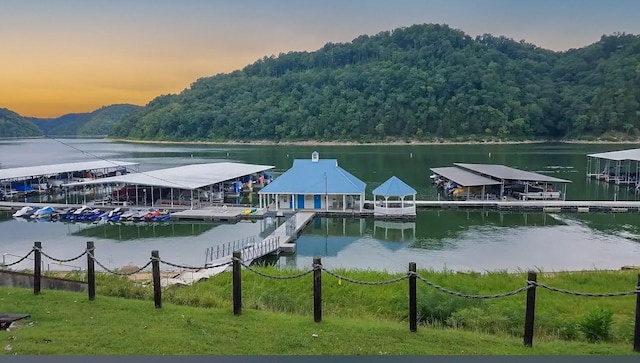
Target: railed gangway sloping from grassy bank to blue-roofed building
{"x":282,"y":239}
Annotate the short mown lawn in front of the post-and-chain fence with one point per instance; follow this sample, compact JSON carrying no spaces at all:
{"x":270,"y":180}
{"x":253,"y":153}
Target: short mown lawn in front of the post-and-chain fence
{"x":65,"y":323}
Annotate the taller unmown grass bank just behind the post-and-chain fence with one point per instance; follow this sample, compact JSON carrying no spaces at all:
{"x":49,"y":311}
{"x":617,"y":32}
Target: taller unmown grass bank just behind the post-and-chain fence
{"x":557,"y":315}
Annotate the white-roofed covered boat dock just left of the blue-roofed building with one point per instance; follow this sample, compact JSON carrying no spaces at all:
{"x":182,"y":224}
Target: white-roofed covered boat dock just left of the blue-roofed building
{"x":198,"y":180}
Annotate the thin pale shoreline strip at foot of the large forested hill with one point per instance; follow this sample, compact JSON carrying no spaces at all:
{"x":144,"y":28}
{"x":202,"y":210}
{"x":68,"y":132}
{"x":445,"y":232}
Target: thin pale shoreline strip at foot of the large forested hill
{"x":379,"y":143}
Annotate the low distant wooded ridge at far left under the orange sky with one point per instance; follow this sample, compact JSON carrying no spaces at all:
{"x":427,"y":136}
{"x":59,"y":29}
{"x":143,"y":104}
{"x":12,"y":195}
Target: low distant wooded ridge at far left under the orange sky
{"x":96,"y":123}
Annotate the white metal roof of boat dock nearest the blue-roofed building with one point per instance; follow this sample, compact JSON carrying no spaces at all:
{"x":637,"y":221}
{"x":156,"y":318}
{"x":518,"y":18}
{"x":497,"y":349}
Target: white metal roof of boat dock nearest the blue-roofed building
{"x":192,"y":176}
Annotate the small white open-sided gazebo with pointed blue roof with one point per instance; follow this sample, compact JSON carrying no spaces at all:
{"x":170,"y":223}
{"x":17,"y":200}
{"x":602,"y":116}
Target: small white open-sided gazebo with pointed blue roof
{"x":394,"y":191}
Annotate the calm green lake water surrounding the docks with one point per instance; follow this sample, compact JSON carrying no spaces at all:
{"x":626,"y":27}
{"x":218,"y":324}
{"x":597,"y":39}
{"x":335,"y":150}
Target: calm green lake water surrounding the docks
{"x":458,"y":240}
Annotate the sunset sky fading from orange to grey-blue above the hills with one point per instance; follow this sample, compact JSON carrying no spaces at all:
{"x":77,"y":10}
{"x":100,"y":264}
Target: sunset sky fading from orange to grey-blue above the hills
{"x":68,"y":56}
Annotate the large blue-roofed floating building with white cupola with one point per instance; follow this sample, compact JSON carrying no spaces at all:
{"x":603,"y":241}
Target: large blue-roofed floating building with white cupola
{"x":314,"y":184}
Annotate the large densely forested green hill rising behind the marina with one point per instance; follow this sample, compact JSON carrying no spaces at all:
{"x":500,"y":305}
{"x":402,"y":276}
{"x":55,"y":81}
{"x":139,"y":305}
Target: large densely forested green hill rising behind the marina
{"x":421,"y":82}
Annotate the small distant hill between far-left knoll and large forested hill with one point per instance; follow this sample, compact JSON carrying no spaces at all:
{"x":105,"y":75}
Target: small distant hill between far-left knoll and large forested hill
{"x":95,"y":123}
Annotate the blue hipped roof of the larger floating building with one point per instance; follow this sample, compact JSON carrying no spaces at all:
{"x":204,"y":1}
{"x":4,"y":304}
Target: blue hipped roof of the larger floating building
{"x":315,"y":177}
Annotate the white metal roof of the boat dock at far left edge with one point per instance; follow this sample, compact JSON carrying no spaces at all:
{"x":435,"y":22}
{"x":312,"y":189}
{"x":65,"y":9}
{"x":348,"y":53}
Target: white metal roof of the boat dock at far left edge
{"x":42,"y":170}
